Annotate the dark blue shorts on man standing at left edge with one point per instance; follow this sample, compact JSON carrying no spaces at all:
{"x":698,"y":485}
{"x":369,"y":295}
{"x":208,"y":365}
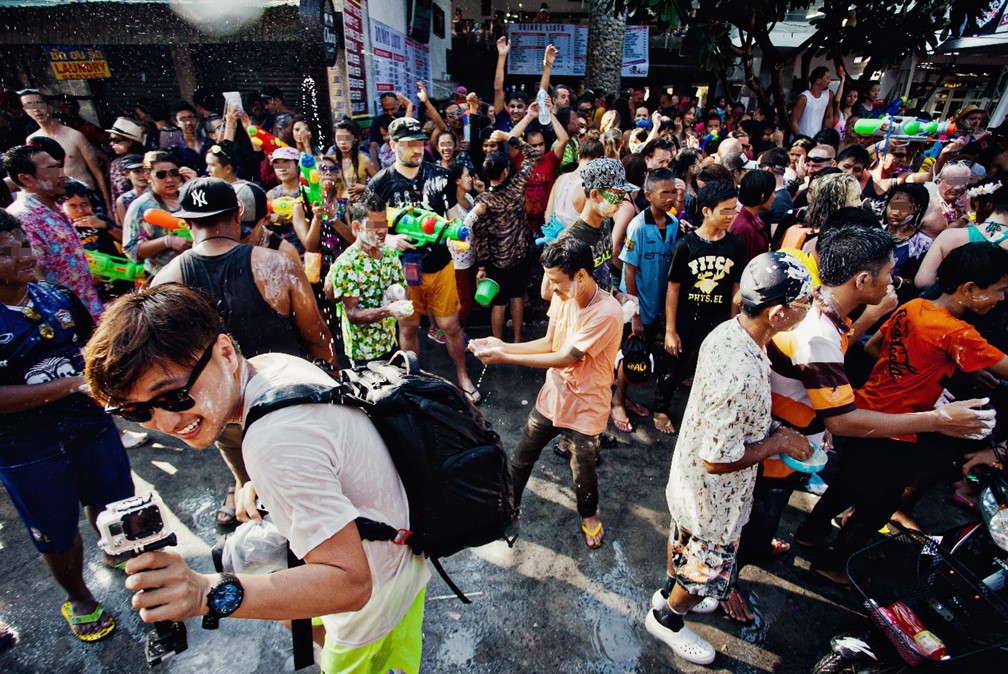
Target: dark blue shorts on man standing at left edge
{"x":88,"y":466}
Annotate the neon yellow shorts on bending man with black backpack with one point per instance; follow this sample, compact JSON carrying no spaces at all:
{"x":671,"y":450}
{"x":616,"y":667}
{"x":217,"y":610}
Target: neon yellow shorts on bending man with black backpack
{"x":400,"y":649}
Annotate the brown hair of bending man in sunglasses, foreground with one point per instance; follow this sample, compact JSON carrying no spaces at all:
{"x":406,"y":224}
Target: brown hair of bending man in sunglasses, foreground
{"x":164,"y":327}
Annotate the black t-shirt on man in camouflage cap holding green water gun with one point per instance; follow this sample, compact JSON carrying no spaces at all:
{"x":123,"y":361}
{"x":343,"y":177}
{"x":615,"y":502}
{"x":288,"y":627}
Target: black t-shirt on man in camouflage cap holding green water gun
{"x":428,"y":191}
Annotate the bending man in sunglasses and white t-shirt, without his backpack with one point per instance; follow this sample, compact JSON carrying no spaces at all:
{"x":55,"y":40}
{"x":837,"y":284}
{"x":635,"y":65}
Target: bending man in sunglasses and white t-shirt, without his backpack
{"x":163,"y":356}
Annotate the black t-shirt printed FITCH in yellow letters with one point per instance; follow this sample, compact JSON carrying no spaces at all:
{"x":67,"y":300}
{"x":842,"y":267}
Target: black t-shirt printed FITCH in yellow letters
{"x":706,"y":272}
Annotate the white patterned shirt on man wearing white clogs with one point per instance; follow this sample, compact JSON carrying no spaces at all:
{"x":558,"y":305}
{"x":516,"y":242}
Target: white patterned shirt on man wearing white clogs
{"x":729,"y":408}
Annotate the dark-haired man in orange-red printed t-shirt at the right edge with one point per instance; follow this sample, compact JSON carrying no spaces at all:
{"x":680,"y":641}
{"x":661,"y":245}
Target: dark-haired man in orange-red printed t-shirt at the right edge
{"x":921,"y":345}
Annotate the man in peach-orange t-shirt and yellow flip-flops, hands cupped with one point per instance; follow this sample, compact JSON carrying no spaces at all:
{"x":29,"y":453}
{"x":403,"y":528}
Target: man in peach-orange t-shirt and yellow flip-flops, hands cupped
{"x":579,"y":353}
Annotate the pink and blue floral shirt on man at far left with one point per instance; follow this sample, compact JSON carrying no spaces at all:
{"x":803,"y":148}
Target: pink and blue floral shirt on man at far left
{"x":58,"y":249}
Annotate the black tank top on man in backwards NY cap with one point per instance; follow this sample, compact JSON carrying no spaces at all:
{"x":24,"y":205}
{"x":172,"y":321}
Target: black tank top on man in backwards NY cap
{"x":228,"y":282}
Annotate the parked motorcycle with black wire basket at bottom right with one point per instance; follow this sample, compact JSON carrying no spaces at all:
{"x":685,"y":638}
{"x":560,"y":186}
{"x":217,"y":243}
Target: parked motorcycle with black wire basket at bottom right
{"x":934,"y":600}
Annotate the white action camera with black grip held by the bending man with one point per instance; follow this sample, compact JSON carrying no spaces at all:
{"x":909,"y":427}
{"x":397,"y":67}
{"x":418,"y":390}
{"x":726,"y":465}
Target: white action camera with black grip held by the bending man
{"x":136,"y":525}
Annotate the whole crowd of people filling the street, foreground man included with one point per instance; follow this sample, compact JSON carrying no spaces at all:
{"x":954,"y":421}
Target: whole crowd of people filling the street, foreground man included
{"x":805,"y":287}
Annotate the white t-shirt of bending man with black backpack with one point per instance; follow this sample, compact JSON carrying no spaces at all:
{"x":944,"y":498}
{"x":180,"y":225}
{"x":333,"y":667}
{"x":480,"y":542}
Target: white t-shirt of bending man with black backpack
{"x":317,"y":469}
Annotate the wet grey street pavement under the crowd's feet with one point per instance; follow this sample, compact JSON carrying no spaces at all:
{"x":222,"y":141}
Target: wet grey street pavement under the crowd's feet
{"x":548,"y":605}
